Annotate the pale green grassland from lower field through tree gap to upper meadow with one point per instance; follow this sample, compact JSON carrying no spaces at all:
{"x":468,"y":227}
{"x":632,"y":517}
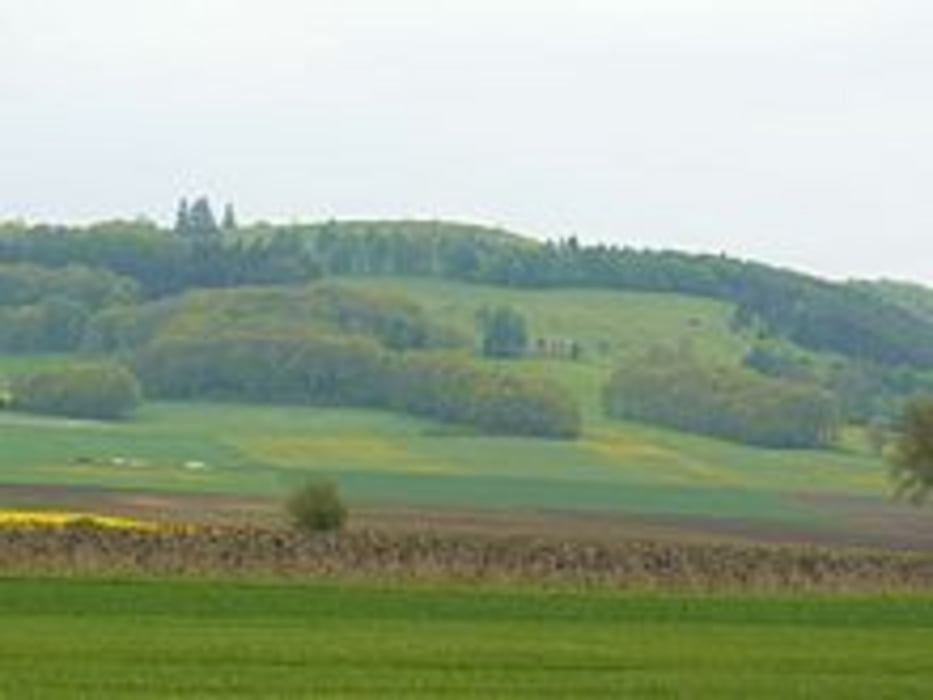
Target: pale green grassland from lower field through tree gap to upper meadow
{"x":394,"y":459}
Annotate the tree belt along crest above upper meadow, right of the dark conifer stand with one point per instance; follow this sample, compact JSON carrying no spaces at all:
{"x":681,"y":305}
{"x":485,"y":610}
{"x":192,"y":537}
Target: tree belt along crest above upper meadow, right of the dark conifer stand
{"x":820,"y":315}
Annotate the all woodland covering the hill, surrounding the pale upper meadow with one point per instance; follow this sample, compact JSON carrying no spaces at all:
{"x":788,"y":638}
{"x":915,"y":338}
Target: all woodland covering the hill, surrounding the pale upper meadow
{"x":198,"y":310}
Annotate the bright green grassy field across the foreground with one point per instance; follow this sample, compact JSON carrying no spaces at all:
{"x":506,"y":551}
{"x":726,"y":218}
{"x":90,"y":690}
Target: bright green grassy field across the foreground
{"x":84,"y":638}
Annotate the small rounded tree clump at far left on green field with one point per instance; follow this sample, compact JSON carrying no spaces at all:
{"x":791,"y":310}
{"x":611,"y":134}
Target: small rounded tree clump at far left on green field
{"x":99,"y":391}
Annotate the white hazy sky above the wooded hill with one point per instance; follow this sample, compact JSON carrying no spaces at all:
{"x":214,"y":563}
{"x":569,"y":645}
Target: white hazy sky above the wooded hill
{"x":798,"y":132}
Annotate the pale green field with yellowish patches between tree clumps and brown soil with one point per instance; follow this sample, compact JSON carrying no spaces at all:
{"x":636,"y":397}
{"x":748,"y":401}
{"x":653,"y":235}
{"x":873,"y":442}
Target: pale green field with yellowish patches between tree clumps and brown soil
{"x":381,"y":458}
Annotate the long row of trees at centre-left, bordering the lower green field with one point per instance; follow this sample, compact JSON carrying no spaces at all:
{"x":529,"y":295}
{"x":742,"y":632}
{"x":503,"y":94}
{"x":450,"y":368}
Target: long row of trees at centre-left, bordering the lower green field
{"x":353,"y":371}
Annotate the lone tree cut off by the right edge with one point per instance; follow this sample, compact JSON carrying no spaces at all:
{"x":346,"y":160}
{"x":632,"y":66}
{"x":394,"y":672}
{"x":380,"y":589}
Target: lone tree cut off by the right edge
{"x":913,"y":459}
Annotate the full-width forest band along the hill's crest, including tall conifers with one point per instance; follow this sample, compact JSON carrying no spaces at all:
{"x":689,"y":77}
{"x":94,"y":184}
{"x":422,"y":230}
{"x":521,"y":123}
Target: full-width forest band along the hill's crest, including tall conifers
{"x":856,"y":321}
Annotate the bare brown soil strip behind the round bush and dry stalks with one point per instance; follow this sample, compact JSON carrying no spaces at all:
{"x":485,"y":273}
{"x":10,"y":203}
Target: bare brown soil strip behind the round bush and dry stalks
{"x":891,"y":527}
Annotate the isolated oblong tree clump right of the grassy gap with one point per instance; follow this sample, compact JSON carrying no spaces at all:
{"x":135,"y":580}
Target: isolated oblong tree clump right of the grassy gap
{"x":731,"y":403}
